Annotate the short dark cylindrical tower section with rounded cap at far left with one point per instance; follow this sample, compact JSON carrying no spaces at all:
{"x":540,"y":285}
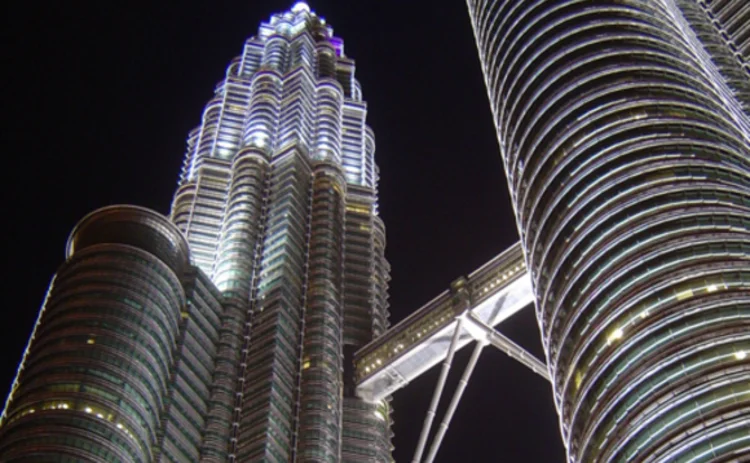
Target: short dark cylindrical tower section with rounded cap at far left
{"x":93,"y":383}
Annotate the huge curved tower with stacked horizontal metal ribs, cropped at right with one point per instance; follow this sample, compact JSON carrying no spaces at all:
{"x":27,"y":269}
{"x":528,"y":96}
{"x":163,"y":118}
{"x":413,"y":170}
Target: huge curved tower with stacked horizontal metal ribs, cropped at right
{"x":624,"y":134}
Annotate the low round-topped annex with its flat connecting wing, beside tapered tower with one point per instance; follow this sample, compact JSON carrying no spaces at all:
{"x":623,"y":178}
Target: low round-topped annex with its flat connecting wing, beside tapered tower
{"x":121,"y":360}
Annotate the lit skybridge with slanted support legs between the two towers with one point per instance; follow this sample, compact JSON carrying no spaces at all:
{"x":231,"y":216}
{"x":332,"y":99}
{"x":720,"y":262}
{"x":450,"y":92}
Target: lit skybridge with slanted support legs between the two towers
{"x":469,"y":311}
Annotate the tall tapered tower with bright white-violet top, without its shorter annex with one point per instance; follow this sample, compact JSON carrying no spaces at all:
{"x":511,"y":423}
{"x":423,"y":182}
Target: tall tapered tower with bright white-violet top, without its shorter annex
{"x":278,"y":201}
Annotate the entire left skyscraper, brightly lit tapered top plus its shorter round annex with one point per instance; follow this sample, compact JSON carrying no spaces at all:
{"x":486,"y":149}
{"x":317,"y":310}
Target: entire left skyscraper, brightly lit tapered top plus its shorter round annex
{"x":226,"y":333}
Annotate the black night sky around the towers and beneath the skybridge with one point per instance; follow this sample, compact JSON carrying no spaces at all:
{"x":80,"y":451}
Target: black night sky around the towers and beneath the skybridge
{"x":98,"y":100}
